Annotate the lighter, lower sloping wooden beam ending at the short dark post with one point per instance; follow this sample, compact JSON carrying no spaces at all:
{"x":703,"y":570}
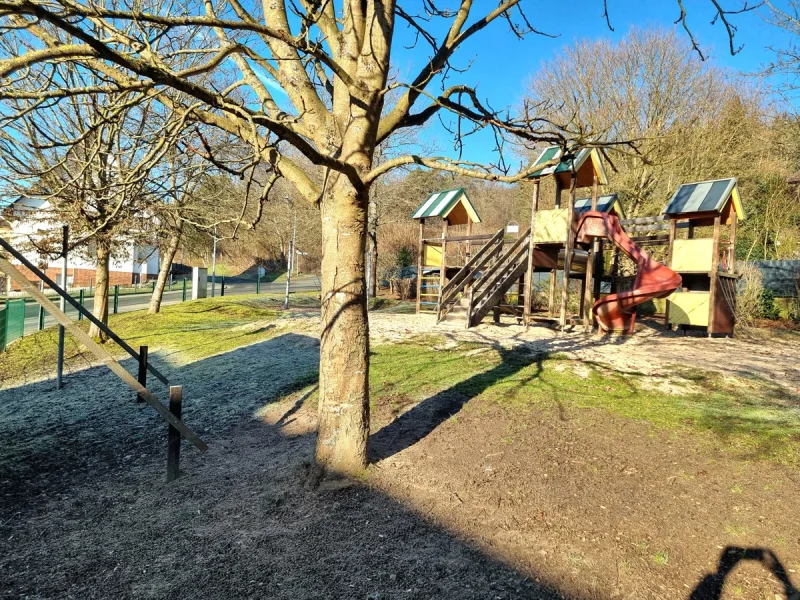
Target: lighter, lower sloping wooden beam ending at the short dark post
{"x":100,"y":352}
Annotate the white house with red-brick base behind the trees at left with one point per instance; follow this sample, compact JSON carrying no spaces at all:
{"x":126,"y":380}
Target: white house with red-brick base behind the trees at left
{"x":24,"y":225}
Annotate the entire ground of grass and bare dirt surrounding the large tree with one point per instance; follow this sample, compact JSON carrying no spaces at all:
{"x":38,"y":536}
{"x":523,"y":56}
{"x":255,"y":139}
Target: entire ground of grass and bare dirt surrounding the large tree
{"x":493,"y":466}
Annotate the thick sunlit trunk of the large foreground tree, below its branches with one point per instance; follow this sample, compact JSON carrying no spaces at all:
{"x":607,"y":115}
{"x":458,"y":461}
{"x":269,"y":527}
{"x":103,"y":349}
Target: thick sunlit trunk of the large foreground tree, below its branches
{"x":344,"y":351}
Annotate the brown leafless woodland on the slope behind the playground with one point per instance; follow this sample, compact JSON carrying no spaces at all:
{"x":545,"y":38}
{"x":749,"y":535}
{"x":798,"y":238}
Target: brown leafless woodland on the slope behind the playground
{"x":691,"y":121}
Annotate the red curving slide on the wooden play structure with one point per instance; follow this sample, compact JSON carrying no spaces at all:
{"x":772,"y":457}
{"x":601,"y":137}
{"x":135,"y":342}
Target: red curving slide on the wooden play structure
{"x":616,"y":312}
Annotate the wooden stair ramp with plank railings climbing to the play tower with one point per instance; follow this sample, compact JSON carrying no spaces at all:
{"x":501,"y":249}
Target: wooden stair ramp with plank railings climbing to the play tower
{"x":483,"y":282}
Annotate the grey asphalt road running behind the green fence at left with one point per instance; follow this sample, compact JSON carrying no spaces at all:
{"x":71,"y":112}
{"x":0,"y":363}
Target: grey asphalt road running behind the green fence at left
{"x":131,"y":302}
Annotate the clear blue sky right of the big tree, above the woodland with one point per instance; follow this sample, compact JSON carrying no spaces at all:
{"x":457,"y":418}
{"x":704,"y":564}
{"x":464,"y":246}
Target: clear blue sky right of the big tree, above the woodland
{"x":501,"y":63}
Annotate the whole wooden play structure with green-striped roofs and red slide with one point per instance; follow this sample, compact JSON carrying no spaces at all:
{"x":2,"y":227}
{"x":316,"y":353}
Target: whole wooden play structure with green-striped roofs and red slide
{"x":465,"y":277}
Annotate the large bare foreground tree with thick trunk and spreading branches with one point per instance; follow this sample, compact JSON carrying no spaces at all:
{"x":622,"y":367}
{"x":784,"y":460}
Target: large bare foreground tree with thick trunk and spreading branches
{"x":331,"y":61}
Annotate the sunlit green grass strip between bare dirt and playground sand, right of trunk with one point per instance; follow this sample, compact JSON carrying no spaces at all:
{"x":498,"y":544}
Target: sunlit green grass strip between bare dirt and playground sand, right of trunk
{"x":763,"y":423}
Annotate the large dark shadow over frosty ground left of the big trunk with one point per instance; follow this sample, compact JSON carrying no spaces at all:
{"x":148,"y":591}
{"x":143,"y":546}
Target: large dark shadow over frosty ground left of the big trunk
{"x":85,"y":512}
